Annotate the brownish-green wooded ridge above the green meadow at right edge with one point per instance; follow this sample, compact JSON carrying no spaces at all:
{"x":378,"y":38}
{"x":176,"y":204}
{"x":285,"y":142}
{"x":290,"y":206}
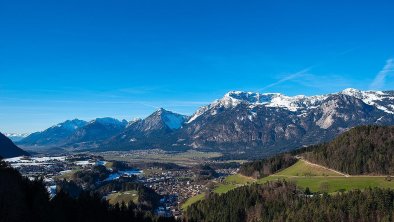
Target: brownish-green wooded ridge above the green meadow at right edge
{"x":361,"y":150}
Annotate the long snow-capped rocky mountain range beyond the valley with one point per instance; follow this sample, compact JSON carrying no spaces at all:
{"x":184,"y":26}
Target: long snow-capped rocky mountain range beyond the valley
{"x":240,"y":121}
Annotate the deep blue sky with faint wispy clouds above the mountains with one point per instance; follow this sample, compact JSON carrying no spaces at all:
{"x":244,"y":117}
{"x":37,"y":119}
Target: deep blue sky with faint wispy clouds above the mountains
{"x":86,"y":59}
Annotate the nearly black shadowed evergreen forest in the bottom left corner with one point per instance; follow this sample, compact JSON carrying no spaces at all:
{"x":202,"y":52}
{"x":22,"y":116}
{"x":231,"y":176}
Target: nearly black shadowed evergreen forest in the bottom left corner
{"x":22,"y":200}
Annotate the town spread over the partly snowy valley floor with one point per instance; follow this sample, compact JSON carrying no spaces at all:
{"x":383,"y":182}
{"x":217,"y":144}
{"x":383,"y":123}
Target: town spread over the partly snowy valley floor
{"x":172,"y":183}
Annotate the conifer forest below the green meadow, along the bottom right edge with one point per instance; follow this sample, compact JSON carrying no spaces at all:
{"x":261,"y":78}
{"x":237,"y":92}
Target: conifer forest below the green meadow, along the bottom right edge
{"x":281,"y":201}
